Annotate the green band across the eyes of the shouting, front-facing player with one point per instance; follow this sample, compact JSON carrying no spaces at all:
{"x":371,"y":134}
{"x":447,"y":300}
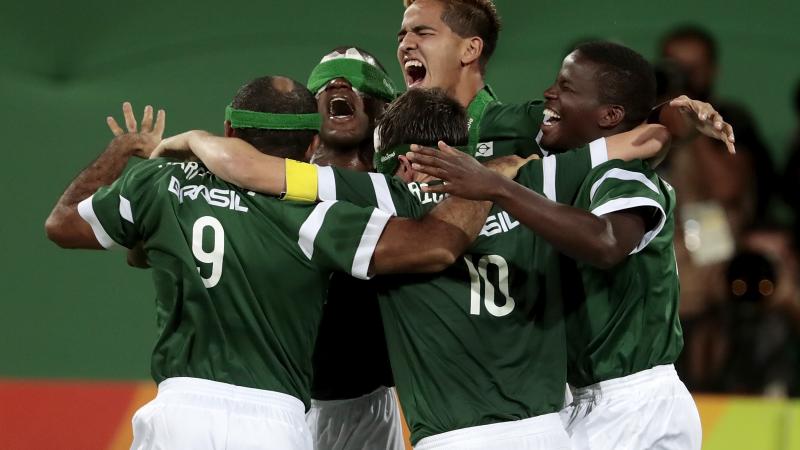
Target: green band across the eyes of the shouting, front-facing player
{"x":362,"y":75}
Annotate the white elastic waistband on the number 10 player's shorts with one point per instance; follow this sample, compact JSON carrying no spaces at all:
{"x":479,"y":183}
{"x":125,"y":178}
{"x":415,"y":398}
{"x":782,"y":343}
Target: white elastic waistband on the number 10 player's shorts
{"x":501,"y":430}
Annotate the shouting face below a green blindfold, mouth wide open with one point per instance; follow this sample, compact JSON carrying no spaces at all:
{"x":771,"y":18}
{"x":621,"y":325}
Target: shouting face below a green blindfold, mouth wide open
{"x":345,"y":121}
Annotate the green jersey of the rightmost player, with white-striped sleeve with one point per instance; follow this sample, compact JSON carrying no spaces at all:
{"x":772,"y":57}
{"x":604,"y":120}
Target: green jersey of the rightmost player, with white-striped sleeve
{"x":624,"y":320}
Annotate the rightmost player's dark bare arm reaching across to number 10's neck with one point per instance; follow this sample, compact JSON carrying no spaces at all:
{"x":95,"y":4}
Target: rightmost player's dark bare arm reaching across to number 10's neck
{"x":602,"y":241}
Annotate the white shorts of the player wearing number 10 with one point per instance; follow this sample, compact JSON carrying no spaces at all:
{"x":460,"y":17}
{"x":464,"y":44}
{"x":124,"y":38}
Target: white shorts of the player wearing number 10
{"x":544,"y":432}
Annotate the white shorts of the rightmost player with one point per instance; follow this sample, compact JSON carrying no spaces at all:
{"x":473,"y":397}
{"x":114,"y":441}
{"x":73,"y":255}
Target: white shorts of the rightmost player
{"x":650,"y":409}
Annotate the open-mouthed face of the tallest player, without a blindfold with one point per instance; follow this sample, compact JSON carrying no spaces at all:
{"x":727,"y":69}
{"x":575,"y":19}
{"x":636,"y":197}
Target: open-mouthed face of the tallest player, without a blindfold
{"x":428,"y":50}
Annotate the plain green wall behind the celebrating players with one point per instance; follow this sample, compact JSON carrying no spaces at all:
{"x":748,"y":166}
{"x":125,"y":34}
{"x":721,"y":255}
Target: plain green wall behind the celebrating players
{"x":64,"y":66}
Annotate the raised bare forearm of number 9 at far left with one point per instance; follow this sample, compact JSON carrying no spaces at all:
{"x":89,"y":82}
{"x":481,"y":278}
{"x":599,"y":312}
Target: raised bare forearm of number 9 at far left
{"x":64,"y":226}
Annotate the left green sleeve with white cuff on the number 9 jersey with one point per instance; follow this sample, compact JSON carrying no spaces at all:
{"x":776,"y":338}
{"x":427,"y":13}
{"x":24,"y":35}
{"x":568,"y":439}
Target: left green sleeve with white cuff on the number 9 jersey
{"x":115,"y":211}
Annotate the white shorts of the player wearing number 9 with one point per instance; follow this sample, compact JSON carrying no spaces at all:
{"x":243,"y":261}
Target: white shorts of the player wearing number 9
{"x":197,"y":414}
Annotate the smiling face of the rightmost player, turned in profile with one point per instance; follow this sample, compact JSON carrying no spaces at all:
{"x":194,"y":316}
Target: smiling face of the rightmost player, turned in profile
{"x":572,"y":108}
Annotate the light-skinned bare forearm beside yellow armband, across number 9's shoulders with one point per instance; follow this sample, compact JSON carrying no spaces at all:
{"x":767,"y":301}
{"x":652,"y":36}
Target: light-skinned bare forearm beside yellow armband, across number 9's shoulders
{"x":238,"y":162}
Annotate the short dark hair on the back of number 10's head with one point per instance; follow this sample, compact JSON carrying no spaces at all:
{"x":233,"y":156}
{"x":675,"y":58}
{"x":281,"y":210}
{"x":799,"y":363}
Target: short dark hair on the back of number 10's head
{"x":425,"y":117}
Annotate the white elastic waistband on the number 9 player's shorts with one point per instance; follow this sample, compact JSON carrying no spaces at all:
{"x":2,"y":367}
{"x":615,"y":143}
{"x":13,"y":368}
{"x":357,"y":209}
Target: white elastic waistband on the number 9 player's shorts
{"x":187,"y":385}
